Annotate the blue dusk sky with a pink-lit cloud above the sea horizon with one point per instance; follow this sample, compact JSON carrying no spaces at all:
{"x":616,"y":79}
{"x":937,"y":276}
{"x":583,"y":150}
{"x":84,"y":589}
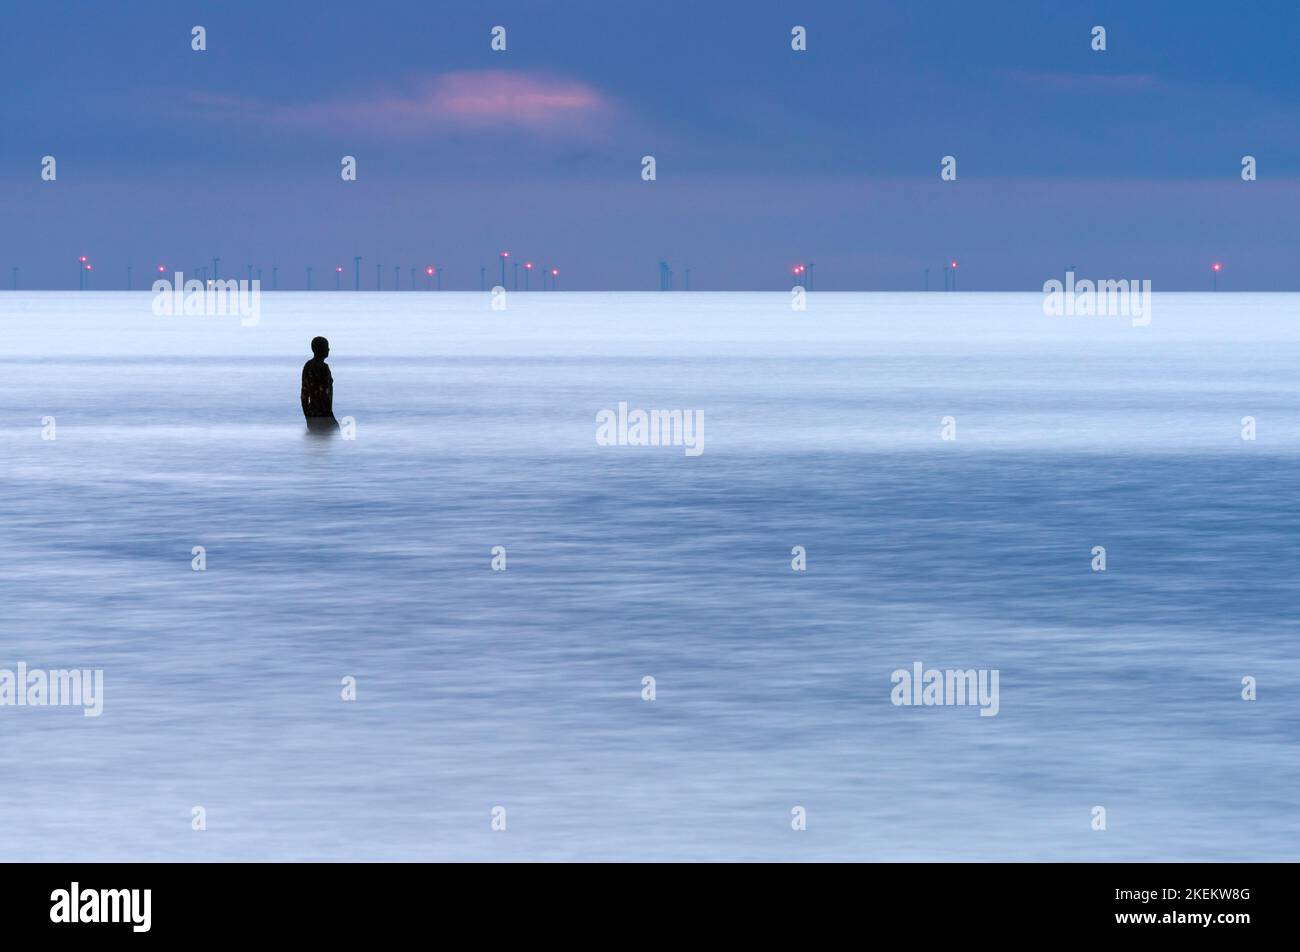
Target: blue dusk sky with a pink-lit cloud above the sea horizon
{"x":1125,"y":163}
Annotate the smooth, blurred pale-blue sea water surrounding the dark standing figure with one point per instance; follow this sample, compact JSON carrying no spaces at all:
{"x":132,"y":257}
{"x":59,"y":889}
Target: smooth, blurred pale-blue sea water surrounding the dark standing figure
{"x":523,"y":689}
